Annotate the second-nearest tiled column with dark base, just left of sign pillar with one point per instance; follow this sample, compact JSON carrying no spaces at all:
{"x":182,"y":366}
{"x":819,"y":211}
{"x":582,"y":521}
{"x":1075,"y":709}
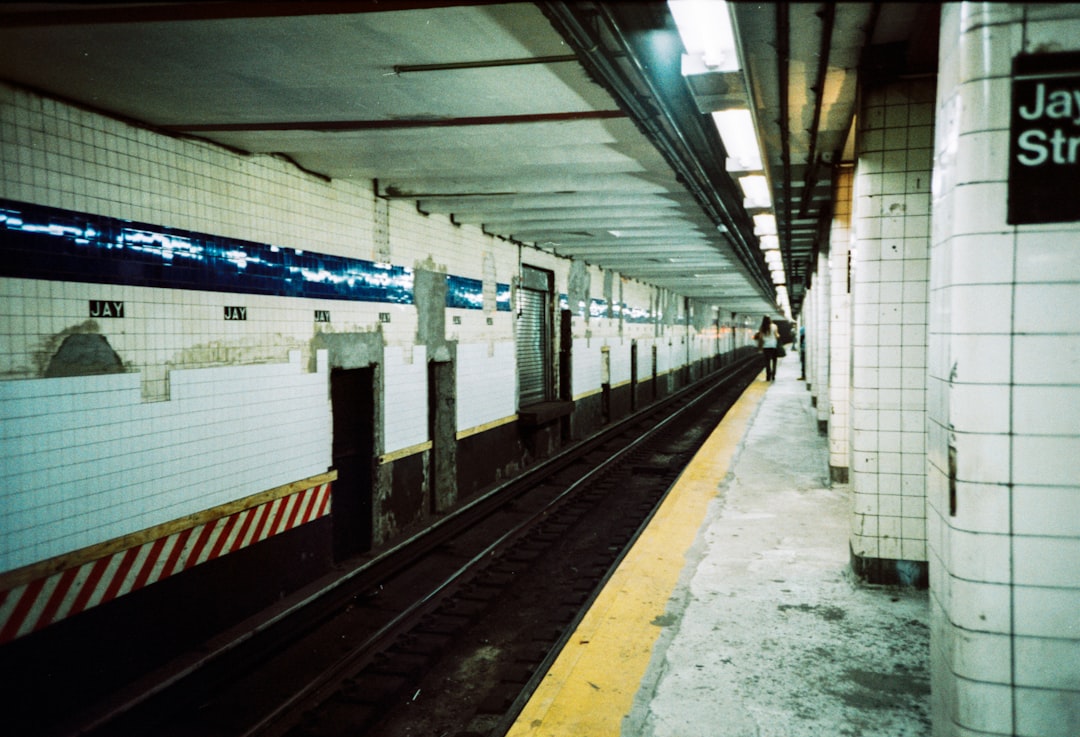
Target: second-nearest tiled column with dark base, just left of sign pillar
{"x":889,"y":331}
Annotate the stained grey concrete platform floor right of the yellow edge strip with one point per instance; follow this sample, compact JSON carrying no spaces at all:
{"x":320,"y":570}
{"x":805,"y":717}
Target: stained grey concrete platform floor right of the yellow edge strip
{"x":773,"y":636}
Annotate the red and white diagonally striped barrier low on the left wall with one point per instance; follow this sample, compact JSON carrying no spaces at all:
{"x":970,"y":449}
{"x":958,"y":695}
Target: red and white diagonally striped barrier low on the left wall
{"x":36,"y":605}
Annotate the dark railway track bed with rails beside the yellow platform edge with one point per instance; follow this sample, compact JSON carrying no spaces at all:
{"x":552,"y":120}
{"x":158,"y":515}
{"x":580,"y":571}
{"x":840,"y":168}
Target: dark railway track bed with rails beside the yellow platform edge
{"x":448,"y":633}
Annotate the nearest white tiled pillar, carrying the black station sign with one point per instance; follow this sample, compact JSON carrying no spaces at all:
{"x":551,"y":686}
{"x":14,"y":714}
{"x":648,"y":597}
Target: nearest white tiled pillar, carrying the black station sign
{"x":1004,"y":504}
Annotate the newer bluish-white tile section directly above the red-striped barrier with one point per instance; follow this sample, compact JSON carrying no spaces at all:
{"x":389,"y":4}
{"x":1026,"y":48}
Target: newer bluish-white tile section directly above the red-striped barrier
{"x":85,"y":460}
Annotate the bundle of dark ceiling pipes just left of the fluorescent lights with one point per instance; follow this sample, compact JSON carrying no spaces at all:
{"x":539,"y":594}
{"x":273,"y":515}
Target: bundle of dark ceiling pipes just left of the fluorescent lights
{"x":677,"y":150}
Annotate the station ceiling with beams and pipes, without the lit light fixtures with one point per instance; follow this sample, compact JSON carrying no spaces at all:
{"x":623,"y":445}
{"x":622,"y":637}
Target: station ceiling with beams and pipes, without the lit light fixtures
{"x":566,"y":126}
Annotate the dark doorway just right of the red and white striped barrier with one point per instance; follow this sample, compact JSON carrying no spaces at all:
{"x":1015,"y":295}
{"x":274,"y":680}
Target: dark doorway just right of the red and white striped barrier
{"x":353,"y":403}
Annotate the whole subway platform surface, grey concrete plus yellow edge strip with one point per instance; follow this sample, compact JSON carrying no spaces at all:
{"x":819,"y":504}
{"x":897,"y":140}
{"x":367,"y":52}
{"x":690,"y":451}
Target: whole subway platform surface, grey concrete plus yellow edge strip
{"x":736,"y":613}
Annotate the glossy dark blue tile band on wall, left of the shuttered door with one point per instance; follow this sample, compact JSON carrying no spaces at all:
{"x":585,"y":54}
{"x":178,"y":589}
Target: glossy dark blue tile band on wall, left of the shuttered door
{"x":55,"y":245}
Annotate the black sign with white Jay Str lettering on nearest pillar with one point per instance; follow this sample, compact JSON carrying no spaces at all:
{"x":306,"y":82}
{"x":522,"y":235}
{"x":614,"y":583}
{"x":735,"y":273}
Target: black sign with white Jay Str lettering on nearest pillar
{"x":1045,"y":140}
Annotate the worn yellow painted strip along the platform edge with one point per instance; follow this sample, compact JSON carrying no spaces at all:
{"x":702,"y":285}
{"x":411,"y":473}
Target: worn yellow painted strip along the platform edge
{"x":591,"y":687}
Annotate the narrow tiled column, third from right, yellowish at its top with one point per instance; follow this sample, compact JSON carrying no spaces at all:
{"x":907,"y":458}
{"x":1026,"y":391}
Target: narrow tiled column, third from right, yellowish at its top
{"x":840,"y":331}
